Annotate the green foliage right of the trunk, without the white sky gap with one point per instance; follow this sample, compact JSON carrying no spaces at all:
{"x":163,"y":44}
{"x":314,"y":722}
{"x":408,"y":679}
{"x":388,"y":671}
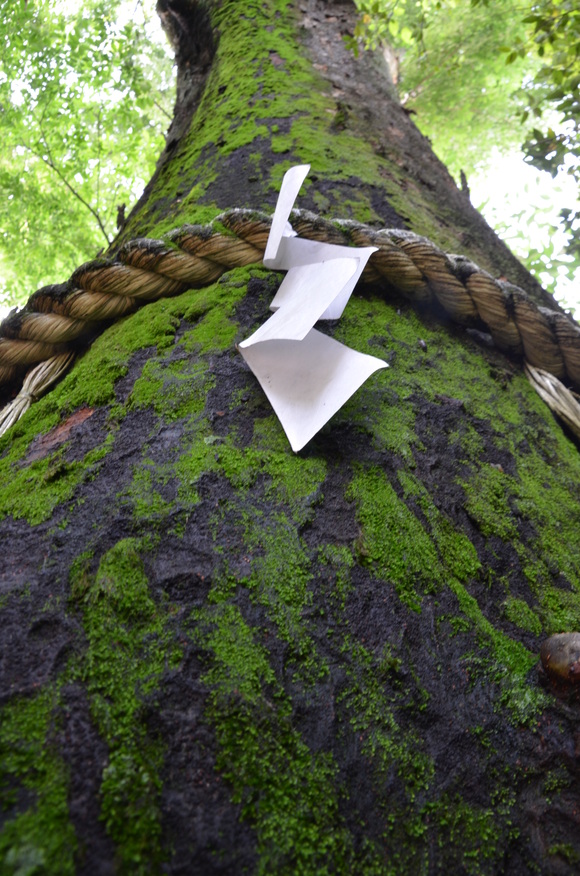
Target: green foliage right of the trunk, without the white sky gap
{"x":498,"y":66}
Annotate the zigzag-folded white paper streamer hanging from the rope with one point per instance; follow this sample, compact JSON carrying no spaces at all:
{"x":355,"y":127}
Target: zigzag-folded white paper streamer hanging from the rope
{"x":306,"y":375}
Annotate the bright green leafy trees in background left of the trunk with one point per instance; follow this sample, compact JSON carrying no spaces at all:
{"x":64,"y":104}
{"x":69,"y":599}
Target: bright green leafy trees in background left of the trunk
{"x":84,"y":99}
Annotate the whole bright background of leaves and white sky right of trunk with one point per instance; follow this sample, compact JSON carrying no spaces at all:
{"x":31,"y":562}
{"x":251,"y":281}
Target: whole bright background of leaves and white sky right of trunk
{"x":448,"y":58}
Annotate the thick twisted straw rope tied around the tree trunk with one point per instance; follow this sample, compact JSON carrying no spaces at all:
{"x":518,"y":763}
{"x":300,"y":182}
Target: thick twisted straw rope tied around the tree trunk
{"x":57,"y":319}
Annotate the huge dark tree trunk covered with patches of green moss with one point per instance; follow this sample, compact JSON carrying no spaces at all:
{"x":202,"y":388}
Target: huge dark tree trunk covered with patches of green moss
{"x":221,"y":657}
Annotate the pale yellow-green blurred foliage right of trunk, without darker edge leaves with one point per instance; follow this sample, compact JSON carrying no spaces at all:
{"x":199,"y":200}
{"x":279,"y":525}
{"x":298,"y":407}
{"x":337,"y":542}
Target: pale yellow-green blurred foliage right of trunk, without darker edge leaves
{"x":448,"y":56}
